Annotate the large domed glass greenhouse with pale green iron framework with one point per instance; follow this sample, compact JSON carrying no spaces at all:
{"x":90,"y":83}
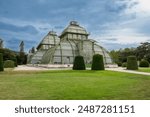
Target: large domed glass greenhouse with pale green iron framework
{"x":73,"y":41}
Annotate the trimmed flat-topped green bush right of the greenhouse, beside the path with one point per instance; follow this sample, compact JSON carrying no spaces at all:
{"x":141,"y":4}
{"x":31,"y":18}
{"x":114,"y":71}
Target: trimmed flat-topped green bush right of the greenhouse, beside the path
{"x":132,"y":63}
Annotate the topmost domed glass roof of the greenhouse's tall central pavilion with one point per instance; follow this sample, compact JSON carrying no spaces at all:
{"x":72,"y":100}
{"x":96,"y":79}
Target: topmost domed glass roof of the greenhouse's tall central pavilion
{"x":74,"y":27}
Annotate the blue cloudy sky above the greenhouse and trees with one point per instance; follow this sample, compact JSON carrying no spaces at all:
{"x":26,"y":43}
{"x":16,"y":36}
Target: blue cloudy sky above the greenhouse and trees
{"x":114,"y":24}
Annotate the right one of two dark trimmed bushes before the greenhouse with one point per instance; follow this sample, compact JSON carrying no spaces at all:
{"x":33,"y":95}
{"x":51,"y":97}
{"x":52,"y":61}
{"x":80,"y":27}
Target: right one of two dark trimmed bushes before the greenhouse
{"x":97,"y":62}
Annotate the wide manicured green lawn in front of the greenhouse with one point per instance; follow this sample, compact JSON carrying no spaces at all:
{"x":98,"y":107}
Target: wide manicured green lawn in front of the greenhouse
{"x":73,"y":85}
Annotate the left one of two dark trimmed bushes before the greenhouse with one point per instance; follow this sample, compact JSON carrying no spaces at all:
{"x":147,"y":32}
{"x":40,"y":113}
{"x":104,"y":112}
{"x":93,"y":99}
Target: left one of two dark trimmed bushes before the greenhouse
{"x":79,"y":63}
